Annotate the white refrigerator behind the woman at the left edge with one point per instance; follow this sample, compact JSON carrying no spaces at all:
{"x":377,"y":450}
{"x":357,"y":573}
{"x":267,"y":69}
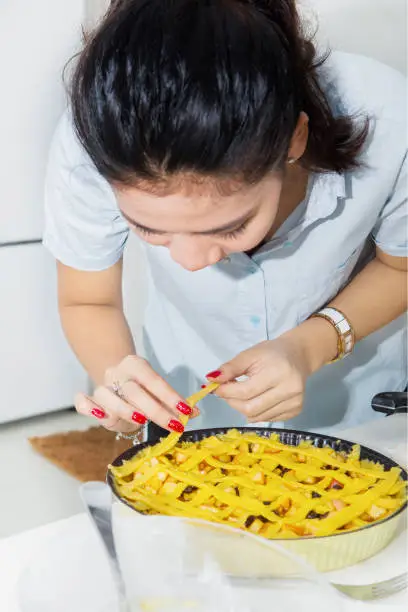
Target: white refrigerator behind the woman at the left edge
{"x":38,"y":372}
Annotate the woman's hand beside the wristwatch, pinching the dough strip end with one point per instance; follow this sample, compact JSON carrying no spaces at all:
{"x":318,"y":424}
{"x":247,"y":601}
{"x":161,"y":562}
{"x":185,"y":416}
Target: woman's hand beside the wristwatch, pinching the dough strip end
{"x":275,"y":374}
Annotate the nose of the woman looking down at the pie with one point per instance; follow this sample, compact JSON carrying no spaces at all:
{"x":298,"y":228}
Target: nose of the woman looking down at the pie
{"x":194,"y":252}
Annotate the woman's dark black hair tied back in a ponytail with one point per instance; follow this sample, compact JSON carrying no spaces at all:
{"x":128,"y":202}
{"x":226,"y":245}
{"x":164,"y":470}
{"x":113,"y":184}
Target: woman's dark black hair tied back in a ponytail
{"x":209,"y":87}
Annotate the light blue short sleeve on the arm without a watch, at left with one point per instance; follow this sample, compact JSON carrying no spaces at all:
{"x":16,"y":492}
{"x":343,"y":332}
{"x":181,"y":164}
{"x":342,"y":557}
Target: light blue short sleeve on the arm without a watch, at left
{"x":83,"y":225}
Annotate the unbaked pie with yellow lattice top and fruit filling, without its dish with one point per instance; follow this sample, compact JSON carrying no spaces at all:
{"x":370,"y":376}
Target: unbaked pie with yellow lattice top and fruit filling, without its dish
{"x":261,"y":485}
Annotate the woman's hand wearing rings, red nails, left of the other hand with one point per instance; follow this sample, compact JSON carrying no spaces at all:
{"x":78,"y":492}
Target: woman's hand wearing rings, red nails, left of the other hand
{"x":132,"y":394}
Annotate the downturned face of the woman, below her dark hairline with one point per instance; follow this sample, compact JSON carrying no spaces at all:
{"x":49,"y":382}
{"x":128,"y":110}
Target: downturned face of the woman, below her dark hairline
{"x":201,"y":223}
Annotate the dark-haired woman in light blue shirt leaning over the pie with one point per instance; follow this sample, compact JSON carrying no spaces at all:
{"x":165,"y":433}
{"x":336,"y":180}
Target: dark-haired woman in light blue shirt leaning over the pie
{"x":264,"y":185}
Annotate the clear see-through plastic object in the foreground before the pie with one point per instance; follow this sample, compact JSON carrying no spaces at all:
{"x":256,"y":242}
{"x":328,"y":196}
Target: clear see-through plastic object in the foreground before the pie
{"x":171,"y":565}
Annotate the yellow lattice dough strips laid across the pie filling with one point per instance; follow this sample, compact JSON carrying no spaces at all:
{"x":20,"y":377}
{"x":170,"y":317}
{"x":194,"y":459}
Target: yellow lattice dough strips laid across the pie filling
{"x":212,"y":502}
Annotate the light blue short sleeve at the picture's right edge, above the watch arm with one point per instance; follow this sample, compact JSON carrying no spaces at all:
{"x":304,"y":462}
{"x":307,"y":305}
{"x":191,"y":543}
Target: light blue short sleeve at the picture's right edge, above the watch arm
{"x":391,"y":230}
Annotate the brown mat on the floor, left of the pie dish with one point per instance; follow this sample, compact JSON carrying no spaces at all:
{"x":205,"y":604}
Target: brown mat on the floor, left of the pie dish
{"x":83,"y":454}
